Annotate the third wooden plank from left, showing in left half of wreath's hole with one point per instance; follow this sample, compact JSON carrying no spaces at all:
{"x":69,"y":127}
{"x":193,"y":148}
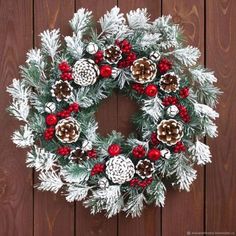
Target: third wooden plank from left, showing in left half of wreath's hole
{"x":86,"y":224}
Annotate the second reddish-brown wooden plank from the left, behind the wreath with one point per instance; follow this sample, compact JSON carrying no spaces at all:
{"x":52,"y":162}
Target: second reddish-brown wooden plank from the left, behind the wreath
{"x":52,"y":214}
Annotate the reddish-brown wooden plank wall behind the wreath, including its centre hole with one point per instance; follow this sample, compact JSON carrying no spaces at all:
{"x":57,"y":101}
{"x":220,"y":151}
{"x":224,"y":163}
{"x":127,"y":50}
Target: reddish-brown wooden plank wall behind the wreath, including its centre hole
{"x":210,"y":206}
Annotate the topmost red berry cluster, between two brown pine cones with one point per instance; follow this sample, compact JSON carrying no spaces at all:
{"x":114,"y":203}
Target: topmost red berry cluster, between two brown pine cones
{"x":128,"y":57}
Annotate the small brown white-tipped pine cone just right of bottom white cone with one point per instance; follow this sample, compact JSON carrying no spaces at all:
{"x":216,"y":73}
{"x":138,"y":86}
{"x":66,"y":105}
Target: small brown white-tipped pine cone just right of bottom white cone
{"x":145,"y":168}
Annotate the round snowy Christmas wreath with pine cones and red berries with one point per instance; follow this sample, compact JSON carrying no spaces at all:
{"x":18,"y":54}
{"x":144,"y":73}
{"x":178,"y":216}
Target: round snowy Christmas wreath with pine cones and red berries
{"x":62,"y":85}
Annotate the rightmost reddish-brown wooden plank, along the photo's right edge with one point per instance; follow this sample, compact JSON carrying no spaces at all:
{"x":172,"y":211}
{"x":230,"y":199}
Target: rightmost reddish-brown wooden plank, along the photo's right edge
{"x":220,"y":175}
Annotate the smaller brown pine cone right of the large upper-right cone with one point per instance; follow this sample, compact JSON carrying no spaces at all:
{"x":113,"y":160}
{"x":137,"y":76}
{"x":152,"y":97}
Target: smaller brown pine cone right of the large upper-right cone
{"x":169,"y":82}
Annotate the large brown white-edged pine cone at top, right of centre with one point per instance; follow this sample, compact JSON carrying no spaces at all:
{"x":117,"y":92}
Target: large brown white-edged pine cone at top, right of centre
{"x":143,"y":70}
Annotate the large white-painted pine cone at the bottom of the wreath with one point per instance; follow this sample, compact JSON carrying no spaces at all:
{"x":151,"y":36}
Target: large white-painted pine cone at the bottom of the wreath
{"x":119,"y":169}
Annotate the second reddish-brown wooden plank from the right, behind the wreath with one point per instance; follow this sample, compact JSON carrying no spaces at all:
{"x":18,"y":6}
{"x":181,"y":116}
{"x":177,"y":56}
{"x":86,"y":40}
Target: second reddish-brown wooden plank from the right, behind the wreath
{"x":183,"y":208}
